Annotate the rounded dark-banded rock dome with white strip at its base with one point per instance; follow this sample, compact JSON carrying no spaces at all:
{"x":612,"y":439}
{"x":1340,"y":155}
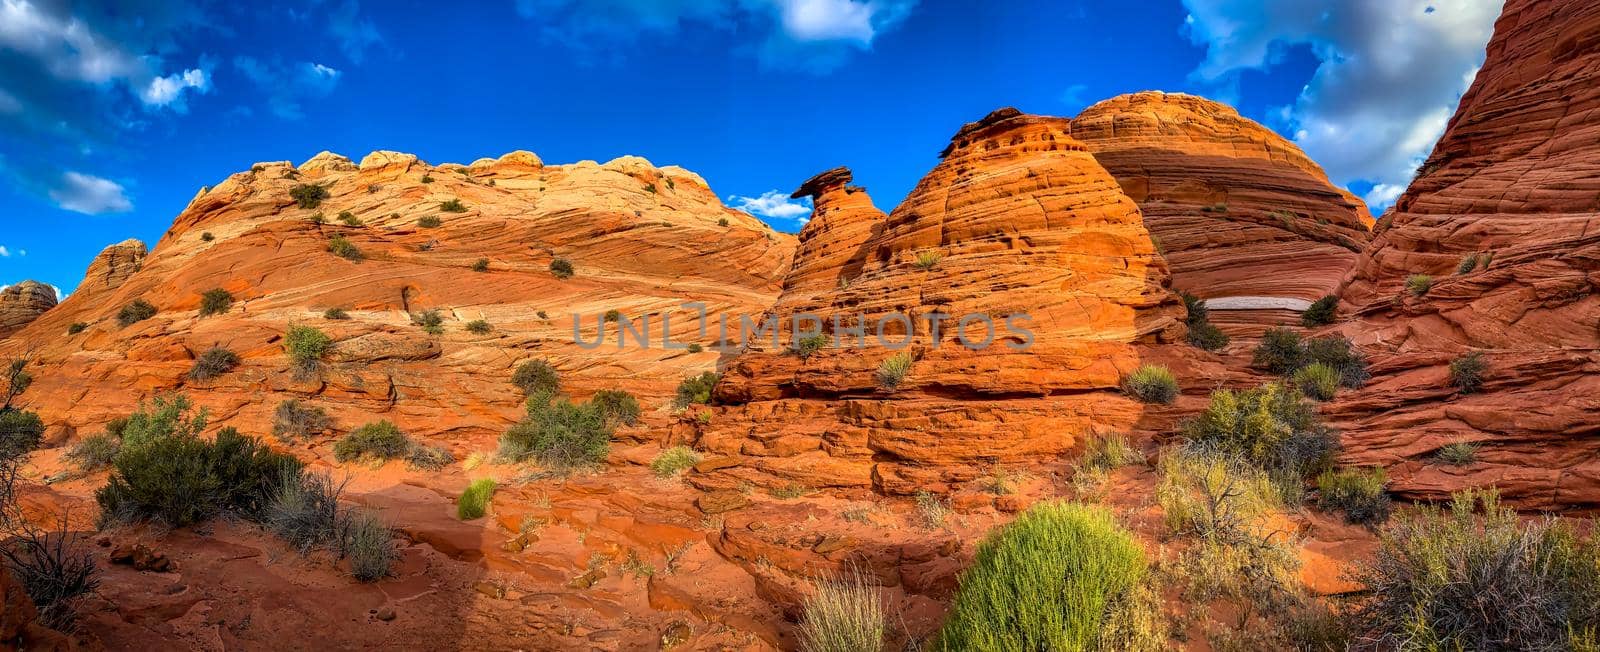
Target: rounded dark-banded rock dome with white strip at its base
{"x":1241,"y":213}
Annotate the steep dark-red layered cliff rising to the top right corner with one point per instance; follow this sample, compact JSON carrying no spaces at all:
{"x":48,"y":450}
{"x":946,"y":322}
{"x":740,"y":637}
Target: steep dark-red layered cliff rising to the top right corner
{"x":1503,"y":217}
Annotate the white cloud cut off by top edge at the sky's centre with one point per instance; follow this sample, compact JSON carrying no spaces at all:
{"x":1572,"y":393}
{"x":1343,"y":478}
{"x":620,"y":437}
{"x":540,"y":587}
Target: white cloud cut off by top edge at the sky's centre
{"x":815,"y":36}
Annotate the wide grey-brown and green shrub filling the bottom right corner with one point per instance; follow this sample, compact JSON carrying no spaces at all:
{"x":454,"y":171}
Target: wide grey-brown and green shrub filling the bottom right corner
{"x":1476,"y":578}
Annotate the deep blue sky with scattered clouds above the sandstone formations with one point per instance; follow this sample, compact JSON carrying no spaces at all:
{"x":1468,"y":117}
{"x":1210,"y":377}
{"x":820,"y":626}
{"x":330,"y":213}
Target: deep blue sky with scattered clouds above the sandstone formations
{"x":114,"y":114}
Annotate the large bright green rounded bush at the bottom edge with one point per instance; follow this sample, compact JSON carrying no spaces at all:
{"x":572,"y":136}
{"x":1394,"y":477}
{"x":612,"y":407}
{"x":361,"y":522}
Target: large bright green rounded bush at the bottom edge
{"x":1044,"y":582}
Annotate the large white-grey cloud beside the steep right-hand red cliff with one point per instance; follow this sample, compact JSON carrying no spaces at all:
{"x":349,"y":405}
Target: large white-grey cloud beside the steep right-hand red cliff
{"x":1390,"y":78}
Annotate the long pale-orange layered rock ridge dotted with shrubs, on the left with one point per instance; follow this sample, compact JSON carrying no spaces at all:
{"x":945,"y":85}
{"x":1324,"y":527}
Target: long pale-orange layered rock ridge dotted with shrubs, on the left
{"x":644,"y":241}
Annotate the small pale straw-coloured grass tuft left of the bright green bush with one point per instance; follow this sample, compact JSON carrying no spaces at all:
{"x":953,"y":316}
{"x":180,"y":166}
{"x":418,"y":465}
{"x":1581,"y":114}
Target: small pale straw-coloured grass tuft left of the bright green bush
{"x":844,"y":614}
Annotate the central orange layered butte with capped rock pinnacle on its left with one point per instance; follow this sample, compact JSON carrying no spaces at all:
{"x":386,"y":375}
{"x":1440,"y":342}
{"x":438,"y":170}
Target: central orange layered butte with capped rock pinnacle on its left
{"x":1018,"y":228}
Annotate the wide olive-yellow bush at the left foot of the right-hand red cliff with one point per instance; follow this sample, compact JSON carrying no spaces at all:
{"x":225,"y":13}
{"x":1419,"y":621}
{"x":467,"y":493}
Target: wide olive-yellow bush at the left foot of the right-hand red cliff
{"x":1270,"y":426}
